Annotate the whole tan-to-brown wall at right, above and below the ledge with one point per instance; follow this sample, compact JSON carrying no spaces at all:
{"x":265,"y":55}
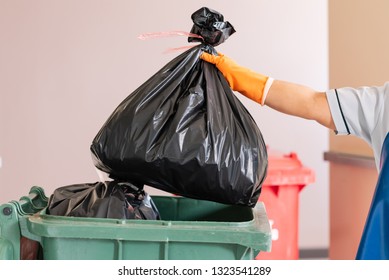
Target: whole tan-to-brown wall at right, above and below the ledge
{"x":358,"y":56}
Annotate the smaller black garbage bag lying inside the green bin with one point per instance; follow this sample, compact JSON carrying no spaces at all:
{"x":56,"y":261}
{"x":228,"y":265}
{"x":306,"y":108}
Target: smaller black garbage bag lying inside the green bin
{"x":111,"y":199}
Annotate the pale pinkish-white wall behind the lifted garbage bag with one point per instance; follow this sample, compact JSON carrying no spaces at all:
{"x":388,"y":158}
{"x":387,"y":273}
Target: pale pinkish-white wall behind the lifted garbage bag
{"x":65,"y":65}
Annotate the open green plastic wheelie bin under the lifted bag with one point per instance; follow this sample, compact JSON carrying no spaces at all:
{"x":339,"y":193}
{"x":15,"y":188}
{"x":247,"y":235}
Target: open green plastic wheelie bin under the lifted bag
{"x":190,"y":229}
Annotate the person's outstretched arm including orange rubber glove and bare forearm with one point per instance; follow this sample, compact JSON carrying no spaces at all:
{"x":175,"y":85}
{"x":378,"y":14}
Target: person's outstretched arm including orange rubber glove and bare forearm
{"x":289,"y":98}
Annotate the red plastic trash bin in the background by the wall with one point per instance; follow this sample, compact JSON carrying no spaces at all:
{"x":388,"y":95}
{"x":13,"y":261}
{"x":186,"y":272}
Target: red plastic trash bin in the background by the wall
{"x":285,"y":179}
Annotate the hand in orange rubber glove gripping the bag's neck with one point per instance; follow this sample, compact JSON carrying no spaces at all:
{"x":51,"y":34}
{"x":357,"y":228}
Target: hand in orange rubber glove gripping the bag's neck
{"x":249,"y":83}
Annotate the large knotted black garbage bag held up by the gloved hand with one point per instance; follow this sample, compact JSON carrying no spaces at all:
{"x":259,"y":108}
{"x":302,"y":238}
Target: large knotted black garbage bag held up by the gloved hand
{"x":185,"y":132}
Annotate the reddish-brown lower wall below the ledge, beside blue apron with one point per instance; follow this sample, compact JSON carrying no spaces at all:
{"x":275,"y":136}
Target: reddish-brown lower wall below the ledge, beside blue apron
{"x":351,"y":191}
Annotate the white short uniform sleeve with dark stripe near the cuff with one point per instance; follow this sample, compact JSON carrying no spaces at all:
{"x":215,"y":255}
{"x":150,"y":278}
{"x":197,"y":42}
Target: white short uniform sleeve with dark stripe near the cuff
{"x":357,"y":111}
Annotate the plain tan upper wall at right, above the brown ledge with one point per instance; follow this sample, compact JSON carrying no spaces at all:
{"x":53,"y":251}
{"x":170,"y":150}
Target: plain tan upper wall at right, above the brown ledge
{"x":358,"y":53}
